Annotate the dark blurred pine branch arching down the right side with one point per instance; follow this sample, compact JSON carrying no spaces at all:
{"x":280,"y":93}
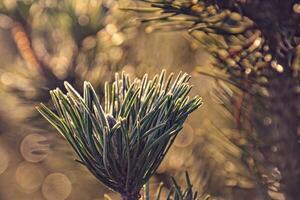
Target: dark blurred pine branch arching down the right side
{"x":256,"y":47}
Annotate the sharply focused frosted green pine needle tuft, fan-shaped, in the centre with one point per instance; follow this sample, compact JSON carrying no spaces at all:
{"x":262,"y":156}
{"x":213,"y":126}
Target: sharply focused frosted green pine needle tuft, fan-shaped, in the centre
{"x":124,"y":142}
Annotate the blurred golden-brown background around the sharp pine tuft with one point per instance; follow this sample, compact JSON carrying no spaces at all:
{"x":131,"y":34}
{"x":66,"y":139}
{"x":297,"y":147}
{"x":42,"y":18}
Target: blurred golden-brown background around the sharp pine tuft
{"x":45,"y":42}
